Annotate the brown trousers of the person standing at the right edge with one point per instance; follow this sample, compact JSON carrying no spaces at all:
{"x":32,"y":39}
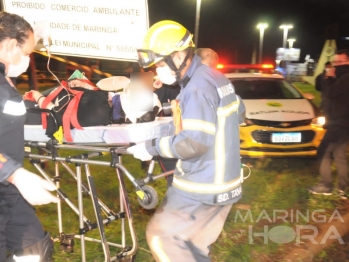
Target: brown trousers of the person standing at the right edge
{"x":334,"y":147}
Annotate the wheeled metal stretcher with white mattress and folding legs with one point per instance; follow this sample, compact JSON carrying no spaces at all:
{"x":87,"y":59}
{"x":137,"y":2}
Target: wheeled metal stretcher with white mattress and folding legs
{"x":111,"y":142}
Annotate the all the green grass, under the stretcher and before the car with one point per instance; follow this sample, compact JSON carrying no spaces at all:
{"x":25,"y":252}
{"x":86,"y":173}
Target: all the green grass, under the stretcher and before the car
{"x":275,"y":184}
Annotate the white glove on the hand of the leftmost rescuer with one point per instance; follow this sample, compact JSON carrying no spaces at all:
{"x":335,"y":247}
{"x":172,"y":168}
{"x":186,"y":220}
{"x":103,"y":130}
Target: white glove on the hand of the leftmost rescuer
{"x":33,"y":188}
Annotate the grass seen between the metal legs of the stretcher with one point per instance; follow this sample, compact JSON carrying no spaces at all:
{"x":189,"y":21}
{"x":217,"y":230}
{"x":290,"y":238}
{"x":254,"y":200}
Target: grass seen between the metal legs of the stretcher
{"x":107,"y":190}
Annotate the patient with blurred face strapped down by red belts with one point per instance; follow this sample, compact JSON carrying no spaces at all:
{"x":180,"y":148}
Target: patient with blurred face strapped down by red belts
{"x":78,"y":103}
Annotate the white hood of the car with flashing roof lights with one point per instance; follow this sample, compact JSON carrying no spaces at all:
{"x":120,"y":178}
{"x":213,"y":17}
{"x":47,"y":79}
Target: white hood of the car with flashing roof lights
{"x":279,"y":110}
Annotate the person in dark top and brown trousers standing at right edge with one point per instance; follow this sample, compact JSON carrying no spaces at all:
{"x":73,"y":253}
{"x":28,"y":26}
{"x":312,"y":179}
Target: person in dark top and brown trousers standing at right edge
{"x":335,"y":143}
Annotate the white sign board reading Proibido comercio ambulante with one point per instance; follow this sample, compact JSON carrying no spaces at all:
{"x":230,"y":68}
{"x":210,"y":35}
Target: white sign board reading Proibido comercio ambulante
{"x":107,"y":29}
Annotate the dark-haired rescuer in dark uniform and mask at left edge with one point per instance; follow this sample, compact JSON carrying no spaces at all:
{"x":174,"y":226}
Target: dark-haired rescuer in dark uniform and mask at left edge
{"x":21,"y":233}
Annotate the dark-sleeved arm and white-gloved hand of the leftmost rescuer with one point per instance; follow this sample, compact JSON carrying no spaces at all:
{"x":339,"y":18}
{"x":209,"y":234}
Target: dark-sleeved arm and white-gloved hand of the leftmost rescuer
{"x":32,"y":187}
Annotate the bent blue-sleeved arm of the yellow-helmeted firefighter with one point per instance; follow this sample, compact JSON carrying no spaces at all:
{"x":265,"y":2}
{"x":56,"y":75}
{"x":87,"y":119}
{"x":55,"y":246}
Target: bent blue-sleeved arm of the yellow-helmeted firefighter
{"x":199,"y":113}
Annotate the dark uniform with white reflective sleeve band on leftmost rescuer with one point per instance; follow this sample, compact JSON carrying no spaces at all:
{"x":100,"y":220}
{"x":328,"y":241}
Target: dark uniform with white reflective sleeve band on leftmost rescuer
{"x":19,"y":226}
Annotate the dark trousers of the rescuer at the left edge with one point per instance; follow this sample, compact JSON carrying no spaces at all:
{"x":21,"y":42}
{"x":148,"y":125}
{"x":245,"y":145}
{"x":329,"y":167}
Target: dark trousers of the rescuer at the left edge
{"x":19,"y":225}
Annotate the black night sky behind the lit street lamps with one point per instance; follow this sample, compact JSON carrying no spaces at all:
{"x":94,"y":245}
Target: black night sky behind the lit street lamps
{"x":229,"y":26}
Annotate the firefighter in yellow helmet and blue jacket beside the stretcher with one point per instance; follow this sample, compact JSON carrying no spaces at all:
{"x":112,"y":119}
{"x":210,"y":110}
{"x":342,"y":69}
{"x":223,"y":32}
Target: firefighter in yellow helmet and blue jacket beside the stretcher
{"x":207,"y":176}
